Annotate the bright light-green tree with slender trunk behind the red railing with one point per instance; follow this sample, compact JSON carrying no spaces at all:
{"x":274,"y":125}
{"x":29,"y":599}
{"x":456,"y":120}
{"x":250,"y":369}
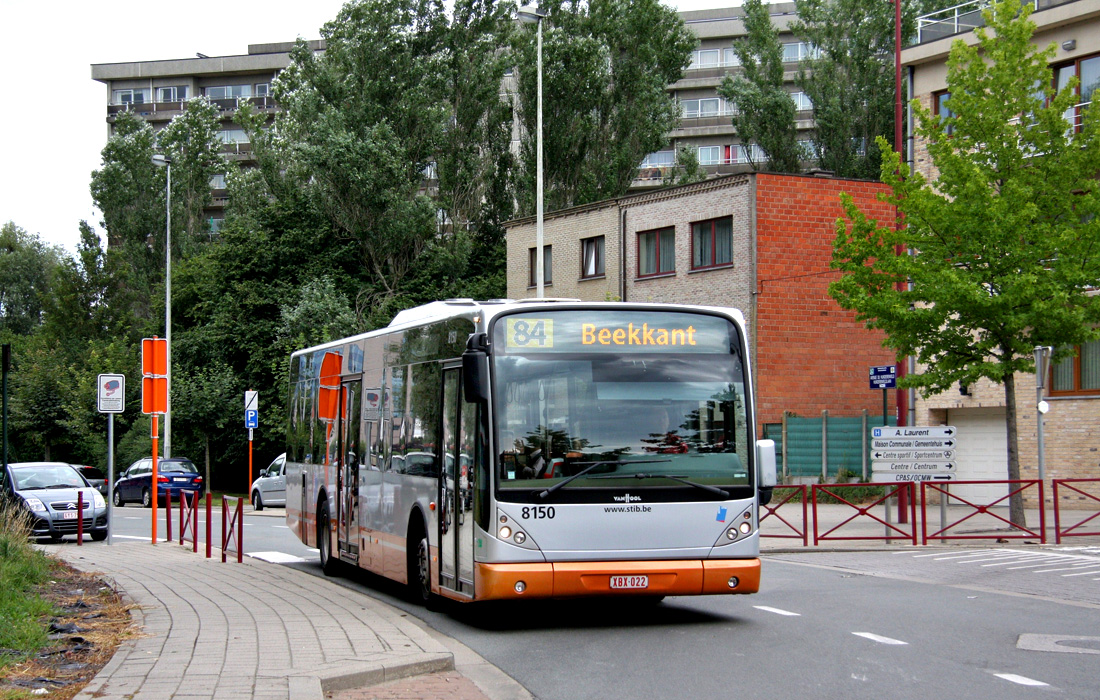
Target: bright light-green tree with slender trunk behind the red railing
{"x":1004,"y":245}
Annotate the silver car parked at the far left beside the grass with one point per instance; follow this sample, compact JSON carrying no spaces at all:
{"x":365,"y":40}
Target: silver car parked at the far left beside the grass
{"x":50,"y":494}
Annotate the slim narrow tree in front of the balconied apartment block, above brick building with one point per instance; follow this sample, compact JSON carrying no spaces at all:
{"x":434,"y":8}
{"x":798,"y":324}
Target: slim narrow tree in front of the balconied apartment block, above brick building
{"x":765,"y":111}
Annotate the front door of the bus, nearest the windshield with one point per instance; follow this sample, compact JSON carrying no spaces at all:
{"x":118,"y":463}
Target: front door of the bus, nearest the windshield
{"x":456,"y":489}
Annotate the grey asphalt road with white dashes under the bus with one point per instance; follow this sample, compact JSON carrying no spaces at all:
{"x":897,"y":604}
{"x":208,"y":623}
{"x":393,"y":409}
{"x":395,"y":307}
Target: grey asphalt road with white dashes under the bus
{"x":917,"y":624}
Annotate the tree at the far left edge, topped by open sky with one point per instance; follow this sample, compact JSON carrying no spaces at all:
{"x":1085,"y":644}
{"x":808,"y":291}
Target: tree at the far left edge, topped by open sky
{"x":28,"y":267}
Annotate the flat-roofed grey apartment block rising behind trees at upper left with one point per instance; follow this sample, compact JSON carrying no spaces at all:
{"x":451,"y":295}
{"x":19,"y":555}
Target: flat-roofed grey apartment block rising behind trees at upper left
{"x":158,"y":91}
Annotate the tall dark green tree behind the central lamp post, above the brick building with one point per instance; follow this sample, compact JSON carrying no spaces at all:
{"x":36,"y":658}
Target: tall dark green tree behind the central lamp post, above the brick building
{"x":607,"y":69}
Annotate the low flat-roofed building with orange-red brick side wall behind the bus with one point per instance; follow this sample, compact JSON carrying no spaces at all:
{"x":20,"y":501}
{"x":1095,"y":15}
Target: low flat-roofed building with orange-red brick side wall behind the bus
{"x":758,"y":243}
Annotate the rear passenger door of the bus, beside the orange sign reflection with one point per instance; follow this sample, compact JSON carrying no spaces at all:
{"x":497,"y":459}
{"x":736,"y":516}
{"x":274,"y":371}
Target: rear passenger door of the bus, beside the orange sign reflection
{"x":349,"y":461}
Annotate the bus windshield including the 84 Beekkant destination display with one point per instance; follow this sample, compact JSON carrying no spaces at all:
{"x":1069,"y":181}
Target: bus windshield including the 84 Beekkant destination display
{"x":635,"y":399}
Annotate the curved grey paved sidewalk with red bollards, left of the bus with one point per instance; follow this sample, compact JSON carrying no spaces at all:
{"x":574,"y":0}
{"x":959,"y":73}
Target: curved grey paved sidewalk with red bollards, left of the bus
{"x":256,"y":630}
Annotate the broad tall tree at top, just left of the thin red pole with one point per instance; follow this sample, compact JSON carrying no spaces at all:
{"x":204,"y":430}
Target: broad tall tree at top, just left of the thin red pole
{"x":851,"y":81}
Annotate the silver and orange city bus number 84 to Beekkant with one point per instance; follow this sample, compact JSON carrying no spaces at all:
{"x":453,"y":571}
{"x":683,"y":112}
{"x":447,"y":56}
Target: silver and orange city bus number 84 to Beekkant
{"x":523,"y":450}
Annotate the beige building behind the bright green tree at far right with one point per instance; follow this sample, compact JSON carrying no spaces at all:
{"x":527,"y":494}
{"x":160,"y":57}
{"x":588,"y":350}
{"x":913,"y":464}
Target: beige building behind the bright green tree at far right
{"x":1072,"y":429}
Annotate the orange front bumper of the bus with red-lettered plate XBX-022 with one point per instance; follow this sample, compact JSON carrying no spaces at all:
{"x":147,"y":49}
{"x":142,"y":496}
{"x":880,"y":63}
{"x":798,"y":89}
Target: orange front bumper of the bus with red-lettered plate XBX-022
{"x":570,"y":579}
